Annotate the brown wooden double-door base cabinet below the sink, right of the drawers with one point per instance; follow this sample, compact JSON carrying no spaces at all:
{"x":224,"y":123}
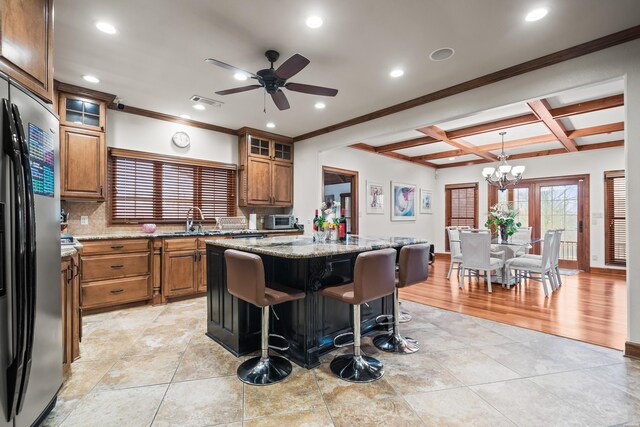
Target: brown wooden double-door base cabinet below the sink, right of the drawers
{"x":183,"y":267}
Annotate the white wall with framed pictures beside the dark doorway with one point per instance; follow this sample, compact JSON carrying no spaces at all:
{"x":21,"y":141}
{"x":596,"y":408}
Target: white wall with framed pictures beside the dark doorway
{"x":382,"y":170}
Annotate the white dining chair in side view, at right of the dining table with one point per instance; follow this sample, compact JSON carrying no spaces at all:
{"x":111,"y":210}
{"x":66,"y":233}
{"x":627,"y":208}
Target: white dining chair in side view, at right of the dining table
{"x":543,"y":266}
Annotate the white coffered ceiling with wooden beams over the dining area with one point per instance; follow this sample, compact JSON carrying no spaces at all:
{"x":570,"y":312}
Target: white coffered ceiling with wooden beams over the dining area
{"x":584,"y":118}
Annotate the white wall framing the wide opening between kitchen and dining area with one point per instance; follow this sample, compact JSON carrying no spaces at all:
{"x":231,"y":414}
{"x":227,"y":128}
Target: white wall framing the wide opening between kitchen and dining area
{"x":618,"y":61}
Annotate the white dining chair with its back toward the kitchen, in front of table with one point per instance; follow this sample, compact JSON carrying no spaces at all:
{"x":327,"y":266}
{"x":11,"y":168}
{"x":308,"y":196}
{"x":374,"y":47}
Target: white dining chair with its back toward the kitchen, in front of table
{"x":477,"y":255}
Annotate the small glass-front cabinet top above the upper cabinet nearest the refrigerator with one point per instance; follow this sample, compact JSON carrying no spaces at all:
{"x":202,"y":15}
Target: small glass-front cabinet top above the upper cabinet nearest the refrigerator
{"x":78,"y":111}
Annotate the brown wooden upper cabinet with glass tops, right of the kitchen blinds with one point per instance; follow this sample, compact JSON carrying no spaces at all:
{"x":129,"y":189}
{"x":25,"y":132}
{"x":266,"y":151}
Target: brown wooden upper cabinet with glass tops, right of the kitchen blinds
{"x":266,"y":169}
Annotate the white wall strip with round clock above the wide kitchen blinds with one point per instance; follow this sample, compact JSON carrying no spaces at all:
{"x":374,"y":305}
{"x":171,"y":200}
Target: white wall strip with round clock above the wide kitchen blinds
{"x":140,"y":133}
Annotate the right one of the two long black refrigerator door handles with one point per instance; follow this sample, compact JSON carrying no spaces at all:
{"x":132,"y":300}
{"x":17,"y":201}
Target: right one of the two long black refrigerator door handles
{"x":30,"y":255}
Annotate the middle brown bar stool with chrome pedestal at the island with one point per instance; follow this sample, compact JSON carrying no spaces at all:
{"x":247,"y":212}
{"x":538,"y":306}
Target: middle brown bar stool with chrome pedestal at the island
{"x":373,"y":278}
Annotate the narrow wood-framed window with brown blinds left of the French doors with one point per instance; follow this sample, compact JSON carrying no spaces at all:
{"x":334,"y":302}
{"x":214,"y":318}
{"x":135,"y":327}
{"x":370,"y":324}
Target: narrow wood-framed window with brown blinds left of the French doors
{"x":461,"y":206}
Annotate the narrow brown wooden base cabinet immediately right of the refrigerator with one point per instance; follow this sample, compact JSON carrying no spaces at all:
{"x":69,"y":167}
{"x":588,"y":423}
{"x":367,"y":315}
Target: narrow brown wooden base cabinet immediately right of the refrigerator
{"x":71,"y":311}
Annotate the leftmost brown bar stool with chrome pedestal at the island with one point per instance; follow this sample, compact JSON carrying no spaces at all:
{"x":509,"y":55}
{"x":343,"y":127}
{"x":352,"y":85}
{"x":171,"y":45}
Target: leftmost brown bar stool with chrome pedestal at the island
{"x":246,"y":280}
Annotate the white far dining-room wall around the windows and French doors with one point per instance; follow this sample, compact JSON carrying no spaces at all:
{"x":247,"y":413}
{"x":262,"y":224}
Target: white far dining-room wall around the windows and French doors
{"x":594,"y":163}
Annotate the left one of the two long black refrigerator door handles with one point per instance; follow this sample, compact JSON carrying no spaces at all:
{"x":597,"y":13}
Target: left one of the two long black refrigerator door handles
{"x":18,"y":283}
